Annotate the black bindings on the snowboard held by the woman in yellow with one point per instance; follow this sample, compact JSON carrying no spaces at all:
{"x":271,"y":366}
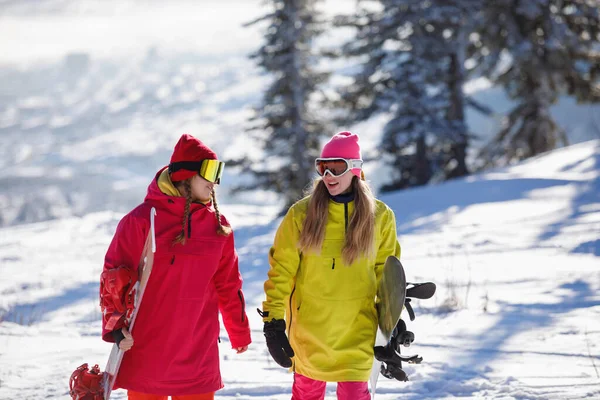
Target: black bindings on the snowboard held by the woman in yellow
{"x":390,"y":354}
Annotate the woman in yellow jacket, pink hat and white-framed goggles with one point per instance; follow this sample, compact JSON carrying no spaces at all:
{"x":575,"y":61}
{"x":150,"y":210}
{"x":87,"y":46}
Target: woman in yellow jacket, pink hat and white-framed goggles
{"x":325,"y":264}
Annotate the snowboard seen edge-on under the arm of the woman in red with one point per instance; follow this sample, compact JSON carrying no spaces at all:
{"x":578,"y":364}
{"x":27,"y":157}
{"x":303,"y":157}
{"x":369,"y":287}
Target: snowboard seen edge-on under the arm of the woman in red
{"x":145,"y":268}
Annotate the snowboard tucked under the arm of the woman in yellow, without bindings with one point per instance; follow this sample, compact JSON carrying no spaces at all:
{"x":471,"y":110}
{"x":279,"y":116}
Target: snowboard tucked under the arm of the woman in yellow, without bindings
{"x":391,"y":294}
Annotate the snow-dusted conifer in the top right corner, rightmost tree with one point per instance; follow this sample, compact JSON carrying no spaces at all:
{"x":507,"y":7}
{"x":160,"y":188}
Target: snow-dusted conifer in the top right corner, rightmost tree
{"x":538,"y":50}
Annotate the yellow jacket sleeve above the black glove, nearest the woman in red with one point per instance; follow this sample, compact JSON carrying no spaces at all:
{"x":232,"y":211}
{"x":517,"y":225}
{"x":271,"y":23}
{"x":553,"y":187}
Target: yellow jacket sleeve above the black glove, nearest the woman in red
{"x":284,"y":260}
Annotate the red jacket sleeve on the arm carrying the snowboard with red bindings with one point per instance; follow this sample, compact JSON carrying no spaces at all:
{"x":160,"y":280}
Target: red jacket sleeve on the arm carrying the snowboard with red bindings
{"x":125,"y":250}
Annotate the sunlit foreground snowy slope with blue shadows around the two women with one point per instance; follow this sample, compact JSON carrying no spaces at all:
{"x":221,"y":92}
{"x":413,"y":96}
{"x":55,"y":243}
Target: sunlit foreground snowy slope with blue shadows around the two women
{"x":515,"y":253}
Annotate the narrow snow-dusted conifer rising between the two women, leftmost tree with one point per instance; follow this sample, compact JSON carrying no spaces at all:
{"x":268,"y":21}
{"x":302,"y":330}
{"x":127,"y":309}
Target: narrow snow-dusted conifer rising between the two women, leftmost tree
{"x":284,"y":123}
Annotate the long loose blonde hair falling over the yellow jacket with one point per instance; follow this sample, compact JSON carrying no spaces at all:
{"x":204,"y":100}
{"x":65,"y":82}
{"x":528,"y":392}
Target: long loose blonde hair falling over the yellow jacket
{"x":360,"y":236}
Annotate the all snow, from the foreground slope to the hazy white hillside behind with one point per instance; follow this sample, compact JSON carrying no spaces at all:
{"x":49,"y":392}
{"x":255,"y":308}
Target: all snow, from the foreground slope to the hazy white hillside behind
{"x":514,"y":251}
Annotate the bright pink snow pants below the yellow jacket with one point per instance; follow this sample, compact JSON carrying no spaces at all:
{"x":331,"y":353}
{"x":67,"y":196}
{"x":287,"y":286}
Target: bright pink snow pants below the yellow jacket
{"x":309,"y":389}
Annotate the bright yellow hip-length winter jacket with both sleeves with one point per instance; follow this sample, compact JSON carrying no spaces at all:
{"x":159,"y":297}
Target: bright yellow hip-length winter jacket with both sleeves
{"x":329,"y":307}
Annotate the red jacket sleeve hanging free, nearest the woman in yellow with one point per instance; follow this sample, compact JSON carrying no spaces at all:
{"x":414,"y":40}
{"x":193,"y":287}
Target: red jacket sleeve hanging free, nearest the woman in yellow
{"x":228,"y":282}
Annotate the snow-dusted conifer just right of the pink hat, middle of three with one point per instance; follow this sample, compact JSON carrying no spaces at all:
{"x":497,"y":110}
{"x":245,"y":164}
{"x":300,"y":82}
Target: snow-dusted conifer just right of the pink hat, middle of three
{"x":412,"y":55}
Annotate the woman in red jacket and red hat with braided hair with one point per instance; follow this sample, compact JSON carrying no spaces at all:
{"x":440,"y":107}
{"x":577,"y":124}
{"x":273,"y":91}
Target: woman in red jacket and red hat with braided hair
{"x":194,"y":275}
